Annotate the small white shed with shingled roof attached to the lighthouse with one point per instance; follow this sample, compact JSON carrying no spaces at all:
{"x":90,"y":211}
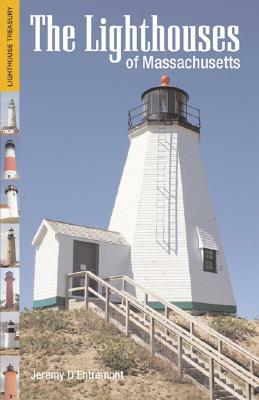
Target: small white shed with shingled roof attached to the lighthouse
{"x":62,"y":248}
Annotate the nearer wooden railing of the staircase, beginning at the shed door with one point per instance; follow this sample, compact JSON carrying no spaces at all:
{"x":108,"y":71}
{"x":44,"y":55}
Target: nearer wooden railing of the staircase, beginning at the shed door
{"x":251,"y":380}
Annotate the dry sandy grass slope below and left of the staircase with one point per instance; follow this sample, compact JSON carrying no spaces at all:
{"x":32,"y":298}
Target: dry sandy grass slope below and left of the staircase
{"x":61,"y":340}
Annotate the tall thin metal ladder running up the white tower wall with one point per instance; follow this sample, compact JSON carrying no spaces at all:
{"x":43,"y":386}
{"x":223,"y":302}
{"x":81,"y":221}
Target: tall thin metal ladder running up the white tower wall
{"x":166,"y":196}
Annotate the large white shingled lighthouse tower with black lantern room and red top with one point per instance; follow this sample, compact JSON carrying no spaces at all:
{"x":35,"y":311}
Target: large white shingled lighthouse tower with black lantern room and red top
{"x":163,"y":208}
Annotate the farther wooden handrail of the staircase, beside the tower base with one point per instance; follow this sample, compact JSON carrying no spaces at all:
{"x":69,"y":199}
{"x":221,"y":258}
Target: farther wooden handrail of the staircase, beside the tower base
{"x":190,"y":318}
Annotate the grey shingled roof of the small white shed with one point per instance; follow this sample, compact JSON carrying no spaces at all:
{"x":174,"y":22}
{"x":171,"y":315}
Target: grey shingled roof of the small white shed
{"x":85,"y":232}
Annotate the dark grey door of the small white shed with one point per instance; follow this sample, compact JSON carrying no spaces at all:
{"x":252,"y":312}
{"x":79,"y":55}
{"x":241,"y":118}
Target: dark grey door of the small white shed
{"x":85,"y":258}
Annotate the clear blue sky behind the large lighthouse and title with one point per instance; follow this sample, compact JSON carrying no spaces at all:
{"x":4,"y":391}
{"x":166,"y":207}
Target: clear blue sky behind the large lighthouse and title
{"x":74,"y":142}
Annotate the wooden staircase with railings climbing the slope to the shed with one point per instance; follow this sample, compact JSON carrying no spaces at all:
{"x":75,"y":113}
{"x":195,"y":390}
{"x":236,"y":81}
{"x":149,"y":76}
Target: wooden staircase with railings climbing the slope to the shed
{"x":213,"y":362}
